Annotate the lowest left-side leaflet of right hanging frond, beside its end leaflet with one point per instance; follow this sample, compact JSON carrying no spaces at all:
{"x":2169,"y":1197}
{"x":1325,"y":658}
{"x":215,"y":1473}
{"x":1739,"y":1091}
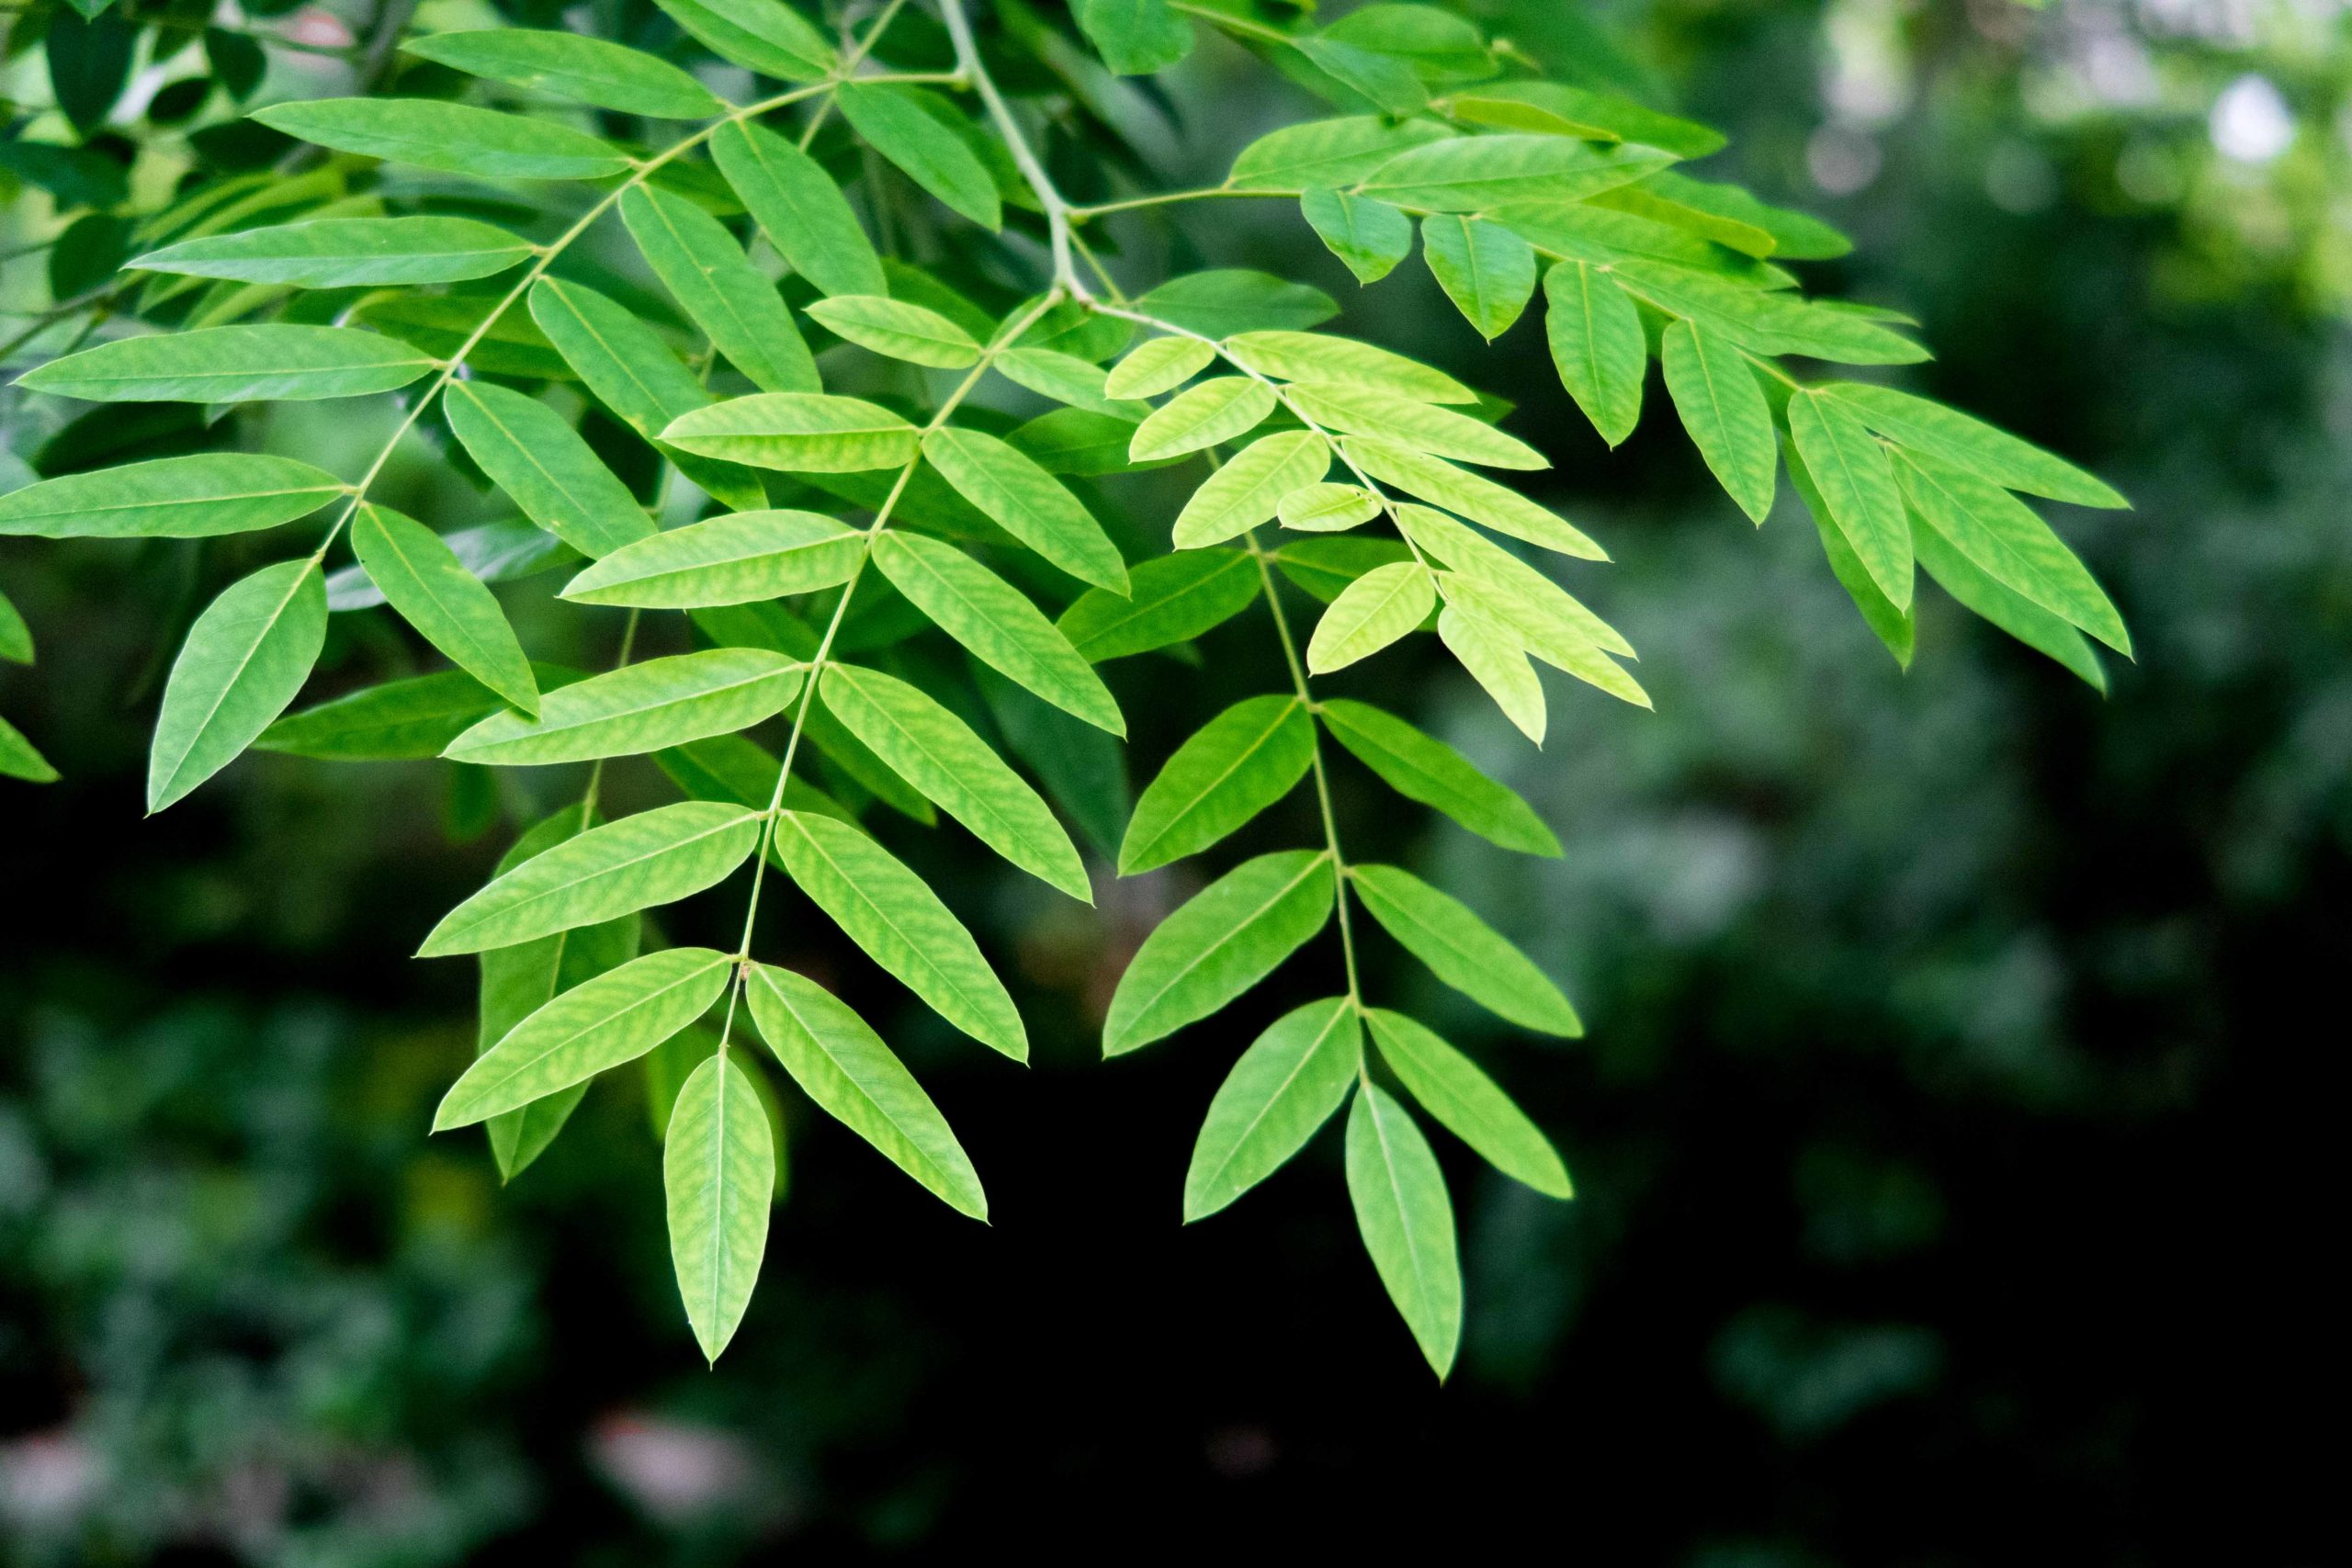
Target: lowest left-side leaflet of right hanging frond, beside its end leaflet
{"x":1285,"y":1087}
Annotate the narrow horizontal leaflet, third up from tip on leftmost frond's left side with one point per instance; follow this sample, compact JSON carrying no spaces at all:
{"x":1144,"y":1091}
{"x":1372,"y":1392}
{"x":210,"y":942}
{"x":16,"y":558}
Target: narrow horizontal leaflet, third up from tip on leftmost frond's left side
{"x":347,"y":253}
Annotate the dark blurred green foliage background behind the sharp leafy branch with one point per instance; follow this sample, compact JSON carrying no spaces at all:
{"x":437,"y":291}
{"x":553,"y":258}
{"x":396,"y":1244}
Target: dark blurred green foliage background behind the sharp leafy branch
{"x":1949,"y":1137}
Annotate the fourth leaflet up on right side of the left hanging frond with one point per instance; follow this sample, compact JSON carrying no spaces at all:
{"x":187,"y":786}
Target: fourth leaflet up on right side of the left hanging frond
{"x":996,"y":624}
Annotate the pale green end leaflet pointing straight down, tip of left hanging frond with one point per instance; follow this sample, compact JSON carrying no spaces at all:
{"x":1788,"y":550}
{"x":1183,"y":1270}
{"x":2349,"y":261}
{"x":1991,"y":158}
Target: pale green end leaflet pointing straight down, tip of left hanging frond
{"x":719,"y":1177}
